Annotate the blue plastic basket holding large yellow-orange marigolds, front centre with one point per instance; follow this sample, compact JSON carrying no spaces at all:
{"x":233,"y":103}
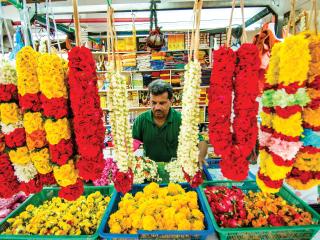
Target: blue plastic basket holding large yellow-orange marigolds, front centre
{"x":104,"y":230}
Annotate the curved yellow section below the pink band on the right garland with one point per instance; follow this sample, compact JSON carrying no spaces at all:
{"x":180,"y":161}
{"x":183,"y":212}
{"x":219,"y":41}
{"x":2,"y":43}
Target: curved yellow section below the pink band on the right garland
{"x":270,"y":169}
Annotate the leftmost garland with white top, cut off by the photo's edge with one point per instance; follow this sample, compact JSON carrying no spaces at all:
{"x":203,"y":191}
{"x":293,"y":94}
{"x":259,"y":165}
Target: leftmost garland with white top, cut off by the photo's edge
{"x":11,"y":131}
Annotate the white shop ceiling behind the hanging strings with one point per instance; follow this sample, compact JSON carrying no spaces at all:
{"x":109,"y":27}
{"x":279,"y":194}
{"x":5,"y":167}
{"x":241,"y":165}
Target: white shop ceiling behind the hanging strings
{"x":172,"y":14}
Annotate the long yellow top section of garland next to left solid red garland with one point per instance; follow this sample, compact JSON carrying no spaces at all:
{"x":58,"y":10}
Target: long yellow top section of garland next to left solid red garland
{"x":51,"y":76}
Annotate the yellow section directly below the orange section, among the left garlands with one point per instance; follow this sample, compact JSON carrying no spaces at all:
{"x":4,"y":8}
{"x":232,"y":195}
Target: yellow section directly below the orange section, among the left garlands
{"x":41,"y":160}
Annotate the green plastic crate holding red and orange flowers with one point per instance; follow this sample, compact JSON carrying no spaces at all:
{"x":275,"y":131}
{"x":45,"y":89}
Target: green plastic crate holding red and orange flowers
{"x":305,"y":232}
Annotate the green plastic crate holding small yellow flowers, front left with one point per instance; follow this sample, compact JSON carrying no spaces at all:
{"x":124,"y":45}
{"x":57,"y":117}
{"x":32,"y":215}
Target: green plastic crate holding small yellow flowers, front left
{"x":47,"y":194}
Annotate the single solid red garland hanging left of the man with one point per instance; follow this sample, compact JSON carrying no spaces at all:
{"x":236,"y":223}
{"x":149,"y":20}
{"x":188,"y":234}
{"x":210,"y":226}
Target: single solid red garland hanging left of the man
{"x":85,"y":105}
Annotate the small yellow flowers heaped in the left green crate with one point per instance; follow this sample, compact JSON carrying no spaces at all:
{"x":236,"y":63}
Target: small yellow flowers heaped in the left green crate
{"x":61,"y":217}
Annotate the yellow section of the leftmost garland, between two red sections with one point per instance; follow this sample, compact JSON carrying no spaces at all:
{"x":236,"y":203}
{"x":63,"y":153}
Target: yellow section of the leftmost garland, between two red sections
{"x":9,"y":113}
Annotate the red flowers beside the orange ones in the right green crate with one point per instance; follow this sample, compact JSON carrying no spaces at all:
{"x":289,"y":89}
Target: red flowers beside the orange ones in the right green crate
{"x":227,"y":205}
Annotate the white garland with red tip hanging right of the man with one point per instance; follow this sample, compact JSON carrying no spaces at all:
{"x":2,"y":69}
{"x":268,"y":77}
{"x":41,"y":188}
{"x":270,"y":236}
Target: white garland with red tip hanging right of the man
{"x":187,"y":153}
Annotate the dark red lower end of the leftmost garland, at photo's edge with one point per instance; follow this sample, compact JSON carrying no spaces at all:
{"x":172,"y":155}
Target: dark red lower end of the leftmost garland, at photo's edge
{"x":8,"y":181}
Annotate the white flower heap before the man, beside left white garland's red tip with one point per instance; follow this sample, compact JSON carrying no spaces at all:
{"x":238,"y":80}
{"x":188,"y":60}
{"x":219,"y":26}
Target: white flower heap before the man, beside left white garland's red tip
{"x":145,"y":169}
